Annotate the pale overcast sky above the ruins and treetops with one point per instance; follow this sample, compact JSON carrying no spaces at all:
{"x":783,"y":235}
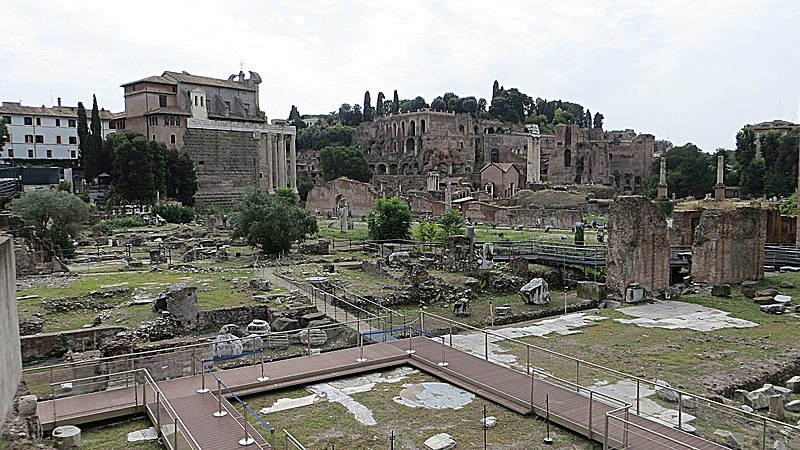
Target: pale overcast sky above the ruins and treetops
{"x":687,"y":71}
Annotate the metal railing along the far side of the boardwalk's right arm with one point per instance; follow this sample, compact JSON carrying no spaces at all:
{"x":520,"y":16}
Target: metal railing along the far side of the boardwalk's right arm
{"x":562,"y":366}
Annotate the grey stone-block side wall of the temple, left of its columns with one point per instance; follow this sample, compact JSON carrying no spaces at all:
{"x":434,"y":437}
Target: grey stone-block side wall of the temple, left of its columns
{"x":226,"y":163}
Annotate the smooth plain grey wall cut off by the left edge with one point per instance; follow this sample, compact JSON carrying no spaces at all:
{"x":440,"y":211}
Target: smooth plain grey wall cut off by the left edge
{"x":11,"y":367}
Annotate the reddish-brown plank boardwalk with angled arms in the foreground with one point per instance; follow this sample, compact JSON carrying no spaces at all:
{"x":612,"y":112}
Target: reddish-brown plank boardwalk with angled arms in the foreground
{"x":578,"y":410}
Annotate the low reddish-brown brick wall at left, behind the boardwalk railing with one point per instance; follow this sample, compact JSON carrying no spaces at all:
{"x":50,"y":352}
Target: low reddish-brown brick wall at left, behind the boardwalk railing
{"x":51,"y":344}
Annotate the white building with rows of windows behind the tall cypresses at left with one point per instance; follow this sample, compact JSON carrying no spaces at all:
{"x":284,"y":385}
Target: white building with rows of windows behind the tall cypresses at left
{"x":45,"y":133}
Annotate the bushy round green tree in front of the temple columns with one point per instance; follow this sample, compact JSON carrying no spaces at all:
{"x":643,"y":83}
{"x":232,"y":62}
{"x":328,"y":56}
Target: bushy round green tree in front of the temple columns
{"x":272,"y":222}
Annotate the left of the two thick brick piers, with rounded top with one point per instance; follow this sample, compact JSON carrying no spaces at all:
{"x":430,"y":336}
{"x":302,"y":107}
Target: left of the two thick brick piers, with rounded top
{"x":638,"y":248}
